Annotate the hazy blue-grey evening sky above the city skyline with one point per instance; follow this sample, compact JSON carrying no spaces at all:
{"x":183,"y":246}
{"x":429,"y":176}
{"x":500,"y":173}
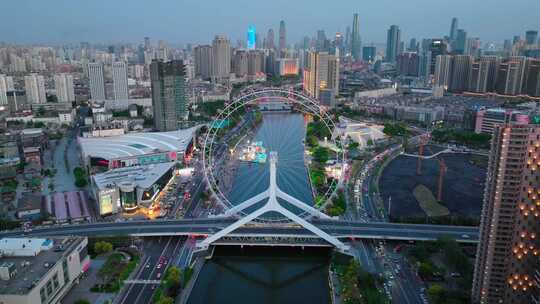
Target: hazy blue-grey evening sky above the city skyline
{"x":198,"y":21}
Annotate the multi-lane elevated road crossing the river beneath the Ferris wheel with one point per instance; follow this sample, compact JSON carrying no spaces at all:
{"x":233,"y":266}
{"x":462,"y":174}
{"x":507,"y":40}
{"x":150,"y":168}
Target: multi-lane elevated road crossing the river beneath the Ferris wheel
{"x":340,"y":229}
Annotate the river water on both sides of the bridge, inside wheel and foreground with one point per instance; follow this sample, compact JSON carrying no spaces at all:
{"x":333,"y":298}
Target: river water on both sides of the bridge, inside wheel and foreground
{"x":264,"y":275}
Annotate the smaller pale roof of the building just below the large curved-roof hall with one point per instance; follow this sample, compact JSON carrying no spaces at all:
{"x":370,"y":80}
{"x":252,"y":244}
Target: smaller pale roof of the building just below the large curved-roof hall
{"x":141,"y":176}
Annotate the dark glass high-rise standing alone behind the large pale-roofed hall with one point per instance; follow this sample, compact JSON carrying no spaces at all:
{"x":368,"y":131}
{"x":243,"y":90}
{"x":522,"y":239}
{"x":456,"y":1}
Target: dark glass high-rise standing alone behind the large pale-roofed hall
{"x":169,"y":101}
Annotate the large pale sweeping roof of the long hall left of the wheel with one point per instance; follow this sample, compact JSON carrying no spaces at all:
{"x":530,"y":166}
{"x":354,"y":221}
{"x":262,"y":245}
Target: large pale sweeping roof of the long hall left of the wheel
{"x":135,"y":144}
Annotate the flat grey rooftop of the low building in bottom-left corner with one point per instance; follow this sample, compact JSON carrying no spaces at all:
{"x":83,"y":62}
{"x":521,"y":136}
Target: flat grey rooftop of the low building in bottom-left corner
{"x":30,"y":269}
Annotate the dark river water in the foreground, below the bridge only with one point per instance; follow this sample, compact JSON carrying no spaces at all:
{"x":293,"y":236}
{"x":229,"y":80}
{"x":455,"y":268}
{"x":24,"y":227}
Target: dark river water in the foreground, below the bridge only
{"x":264,"y":275}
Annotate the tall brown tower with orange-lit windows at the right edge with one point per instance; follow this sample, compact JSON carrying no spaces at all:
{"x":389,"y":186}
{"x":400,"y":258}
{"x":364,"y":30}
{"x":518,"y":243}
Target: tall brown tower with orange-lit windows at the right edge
{"x":507,"y":264}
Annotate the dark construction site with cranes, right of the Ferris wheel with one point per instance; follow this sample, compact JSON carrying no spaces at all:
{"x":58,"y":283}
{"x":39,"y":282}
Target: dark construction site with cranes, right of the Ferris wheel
{"x":433,"y":181}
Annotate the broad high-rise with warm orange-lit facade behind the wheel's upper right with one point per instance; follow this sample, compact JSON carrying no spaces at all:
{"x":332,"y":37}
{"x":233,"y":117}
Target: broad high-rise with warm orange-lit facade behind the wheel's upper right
{"x":321,"y":73}
